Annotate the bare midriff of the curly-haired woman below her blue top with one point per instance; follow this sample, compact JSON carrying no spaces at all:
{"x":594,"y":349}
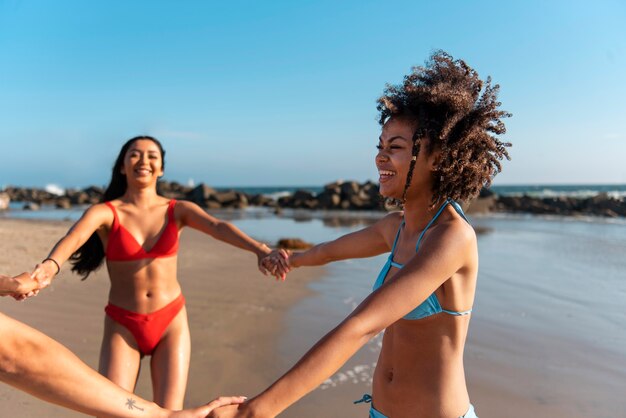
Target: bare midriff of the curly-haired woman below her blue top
{"x":420,"y":368}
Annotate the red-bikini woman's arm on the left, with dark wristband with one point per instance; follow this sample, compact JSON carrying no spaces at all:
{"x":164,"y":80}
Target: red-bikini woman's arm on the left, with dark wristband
{"x":94,"y":218}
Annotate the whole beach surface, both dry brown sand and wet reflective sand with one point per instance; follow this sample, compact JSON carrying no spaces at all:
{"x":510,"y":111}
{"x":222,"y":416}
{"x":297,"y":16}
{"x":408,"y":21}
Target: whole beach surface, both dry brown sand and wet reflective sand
{"x":524,"y":357}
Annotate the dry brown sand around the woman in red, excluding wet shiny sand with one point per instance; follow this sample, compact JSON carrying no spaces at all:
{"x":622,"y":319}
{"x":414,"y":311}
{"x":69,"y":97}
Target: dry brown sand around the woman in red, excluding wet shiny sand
{"x":235,"y":314}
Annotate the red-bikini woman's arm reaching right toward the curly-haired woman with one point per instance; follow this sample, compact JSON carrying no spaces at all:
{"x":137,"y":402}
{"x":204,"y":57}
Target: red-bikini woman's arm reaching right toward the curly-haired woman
{"x":195,"y":217}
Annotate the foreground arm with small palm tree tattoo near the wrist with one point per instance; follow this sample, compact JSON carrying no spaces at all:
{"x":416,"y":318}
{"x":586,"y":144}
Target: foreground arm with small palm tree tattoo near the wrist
{"x":37,"y":364}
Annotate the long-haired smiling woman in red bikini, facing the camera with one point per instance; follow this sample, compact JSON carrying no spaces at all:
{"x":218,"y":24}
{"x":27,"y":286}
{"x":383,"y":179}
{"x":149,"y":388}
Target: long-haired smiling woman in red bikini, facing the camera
{"x":137,"y":231}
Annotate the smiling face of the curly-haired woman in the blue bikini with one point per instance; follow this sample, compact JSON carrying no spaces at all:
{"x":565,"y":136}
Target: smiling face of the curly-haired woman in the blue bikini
{"x":393,"y":160}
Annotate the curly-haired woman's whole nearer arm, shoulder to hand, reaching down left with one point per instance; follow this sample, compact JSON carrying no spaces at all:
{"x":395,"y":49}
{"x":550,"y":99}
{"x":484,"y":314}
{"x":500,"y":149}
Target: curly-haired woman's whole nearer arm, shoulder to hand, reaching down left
{"x":445,"y":252}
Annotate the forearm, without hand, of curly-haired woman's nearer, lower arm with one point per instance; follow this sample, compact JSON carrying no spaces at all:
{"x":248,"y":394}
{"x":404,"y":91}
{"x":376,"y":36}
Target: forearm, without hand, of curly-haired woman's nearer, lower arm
{"x":317,"y":365}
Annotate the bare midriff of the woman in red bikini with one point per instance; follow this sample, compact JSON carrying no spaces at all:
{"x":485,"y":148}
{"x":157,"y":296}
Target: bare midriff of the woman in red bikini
{"x":145,"y":285}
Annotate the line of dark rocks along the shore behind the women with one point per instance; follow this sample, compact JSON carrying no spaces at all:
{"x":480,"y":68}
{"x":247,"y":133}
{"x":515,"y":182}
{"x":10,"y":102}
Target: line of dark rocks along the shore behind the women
{"x":339,"y":195}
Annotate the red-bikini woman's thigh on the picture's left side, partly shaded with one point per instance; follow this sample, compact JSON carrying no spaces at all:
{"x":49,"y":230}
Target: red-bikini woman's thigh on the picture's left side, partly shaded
{"x":119,"y":355}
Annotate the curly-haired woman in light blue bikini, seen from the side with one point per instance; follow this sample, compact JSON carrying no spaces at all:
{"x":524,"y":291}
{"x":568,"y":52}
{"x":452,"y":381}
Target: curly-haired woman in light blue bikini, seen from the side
{"x":439,"y":144}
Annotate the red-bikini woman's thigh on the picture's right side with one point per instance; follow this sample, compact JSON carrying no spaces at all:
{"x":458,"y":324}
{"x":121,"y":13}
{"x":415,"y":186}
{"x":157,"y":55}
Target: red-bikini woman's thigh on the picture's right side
{"x":170,"y":363}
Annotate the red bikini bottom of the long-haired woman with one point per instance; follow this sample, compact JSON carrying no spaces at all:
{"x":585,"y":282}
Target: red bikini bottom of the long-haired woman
{"x":146,"y":328}
